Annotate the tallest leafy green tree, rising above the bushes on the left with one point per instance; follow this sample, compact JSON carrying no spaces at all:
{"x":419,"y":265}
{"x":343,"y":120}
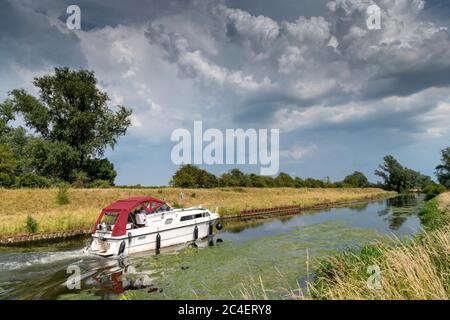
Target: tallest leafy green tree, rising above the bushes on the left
{"x":71,"y":124}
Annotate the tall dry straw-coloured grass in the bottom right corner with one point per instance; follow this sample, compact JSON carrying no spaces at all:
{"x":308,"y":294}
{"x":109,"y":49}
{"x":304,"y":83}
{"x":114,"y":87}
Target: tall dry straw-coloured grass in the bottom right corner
{"x":417,"y":270}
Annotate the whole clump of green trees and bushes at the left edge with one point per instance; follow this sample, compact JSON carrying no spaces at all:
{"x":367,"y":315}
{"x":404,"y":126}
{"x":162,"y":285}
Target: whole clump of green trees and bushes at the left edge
{"x":64,"y":132}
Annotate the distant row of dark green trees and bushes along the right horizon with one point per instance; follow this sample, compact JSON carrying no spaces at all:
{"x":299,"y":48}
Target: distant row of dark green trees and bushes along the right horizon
{"x":395,"y":176}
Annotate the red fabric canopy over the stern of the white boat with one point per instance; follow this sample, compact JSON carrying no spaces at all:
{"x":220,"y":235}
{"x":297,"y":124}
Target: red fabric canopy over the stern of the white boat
{"x":123,"y":207}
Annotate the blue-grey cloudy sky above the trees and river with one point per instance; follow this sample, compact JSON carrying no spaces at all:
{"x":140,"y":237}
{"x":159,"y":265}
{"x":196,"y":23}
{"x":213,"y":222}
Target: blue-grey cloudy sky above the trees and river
{"x":342,"y":95}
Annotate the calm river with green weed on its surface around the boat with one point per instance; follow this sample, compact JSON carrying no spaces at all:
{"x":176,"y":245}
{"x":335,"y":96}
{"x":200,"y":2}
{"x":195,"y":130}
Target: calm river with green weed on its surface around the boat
{"x":253,"y":259}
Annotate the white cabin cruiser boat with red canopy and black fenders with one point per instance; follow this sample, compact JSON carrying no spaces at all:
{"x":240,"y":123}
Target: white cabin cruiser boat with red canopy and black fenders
{"x":146,"y":223}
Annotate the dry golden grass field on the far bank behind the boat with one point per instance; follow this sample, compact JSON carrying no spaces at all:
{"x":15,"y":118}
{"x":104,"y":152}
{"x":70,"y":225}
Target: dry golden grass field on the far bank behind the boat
{"x":85,"y":204}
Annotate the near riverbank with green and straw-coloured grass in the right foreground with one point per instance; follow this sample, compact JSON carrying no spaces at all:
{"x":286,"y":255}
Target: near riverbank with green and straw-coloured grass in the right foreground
{"x":414,"y":269}
